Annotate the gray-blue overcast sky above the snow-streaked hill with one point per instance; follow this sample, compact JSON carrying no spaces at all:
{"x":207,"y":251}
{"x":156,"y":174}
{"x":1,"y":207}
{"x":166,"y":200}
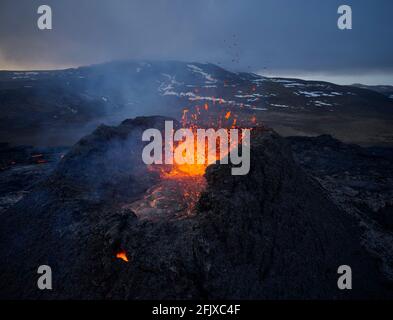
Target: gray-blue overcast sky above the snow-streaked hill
{"x":273,"y":37}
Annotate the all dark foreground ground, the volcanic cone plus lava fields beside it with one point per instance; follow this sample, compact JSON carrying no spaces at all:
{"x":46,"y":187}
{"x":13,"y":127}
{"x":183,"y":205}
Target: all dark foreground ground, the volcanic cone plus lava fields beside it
{"x":307,"y":206}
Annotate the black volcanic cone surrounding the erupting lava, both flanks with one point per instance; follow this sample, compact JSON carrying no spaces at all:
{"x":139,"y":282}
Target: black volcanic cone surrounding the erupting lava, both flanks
{"x":270,"y":234}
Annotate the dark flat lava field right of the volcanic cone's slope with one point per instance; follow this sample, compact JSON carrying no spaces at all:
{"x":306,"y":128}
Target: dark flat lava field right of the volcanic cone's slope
{"x":360,"y":181}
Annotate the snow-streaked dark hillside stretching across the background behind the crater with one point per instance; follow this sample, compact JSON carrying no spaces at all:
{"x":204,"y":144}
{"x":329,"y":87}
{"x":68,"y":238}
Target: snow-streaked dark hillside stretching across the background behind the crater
{"x":58,"y":107}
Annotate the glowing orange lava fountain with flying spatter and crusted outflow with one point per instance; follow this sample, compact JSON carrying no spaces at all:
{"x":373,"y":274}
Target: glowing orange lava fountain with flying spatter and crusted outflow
{"x":181,"y":184}
